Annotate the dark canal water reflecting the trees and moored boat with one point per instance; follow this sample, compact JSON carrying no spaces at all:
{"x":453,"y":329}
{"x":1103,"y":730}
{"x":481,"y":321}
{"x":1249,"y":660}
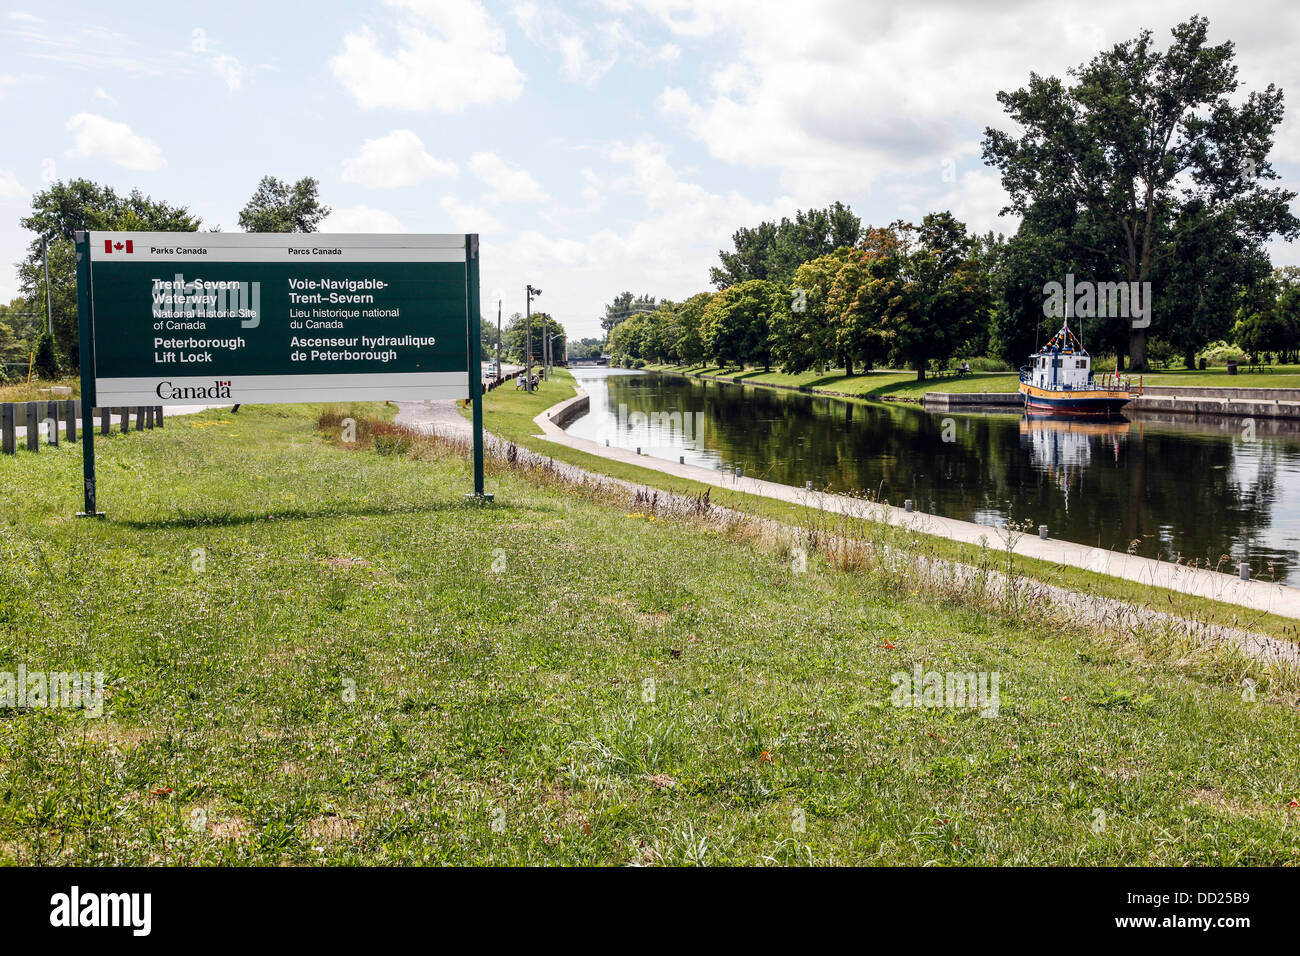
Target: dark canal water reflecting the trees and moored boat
{"x":1162,"y":487}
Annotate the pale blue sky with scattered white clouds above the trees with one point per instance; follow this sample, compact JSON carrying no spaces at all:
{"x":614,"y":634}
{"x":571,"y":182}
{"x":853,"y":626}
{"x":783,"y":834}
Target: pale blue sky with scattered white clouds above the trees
{"x":597,"y":146}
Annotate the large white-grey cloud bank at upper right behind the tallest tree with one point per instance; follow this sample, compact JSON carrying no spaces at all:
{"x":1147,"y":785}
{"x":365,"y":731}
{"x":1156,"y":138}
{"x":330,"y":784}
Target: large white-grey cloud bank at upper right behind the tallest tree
{"x":842,"y":94}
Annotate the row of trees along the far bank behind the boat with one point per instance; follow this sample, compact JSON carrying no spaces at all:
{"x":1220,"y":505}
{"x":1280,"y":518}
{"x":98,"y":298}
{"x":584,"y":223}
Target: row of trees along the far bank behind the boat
{"x":1146,"y":168}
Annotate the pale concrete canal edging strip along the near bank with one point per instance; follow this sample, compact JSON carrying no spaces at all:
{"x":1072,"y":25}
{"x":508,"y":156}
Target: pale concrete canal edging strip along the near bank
{"x":1259,"y":596}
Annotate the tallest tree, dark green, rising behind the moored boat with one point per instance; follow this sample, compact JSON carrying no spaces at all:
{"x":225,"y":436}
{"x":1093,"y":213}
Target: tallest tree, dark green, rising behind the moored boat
{"x":1139,"y":140}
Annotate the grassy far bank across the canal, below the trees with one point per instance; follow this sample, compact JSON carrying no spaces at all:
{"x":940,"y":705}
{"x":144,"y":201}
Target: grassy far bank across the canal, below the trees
{"x":903,"y":386}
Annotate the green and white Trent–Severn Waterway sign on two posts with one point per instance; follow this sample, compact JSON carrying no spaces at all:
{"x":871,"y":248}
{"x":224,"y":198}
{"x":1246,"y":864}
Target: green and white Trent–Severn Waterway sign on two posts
{"x":275,"y":318}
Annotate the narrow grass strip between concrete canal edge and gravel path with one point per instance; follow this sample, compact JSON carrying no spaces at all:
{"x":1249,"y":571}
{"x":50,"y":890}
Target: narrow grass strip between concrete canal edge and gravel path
{"x":510,"y":414}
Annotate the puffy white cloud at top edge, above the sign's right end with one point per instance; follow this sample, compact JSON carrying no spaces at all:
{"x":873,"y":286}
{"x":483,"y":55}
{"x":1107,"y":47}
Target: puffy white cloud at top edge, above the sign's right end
{"x":452,"y":55}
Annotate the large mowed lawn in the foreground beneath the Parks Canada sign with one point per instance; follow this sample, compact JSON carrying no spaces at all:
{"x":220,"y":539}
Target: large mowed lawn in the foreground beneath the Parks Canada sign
{"x":362,"y":668}
